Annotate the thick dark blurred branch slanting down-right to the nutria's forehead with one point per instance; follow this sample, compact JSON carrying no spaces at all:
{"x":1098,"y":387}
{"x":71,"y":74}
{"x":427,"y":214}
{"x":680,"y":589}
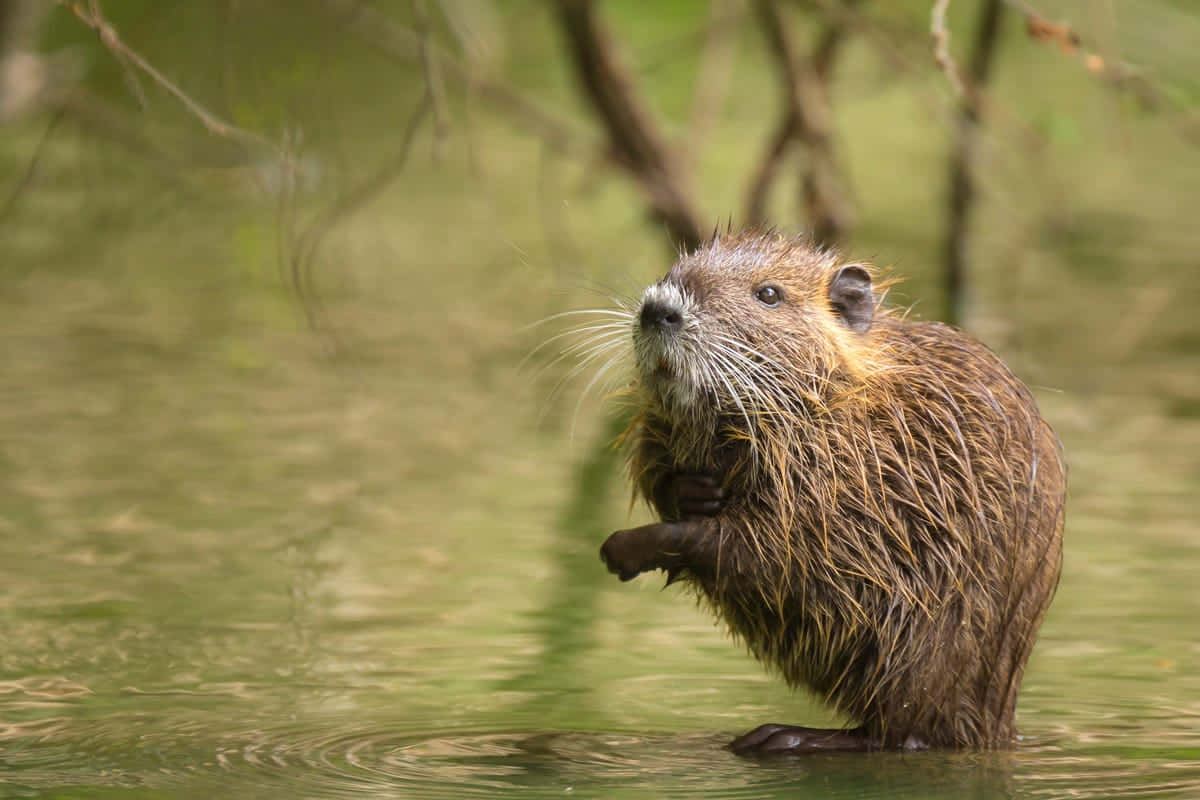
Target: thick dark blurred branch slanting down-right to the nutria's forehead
{"x":634,"y":137}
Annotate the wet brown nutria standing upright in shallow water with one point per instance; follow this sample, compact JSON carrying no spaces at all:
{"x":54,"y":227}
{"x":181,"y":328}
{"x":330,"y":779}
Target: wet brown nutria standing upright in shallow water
{"x":873,"y":506}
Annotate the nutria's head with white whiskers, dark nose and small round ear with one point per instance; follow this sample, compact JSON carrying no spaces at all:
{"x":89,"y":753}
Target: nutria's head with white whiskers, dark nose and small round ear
{"x":758,"y":323}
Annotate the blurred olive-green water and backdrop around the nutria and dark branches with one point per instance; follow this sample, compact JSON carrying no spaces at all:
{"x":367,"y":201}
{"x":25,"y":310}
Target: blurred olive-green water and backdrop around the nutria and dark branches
{"x":283,"y":513}
